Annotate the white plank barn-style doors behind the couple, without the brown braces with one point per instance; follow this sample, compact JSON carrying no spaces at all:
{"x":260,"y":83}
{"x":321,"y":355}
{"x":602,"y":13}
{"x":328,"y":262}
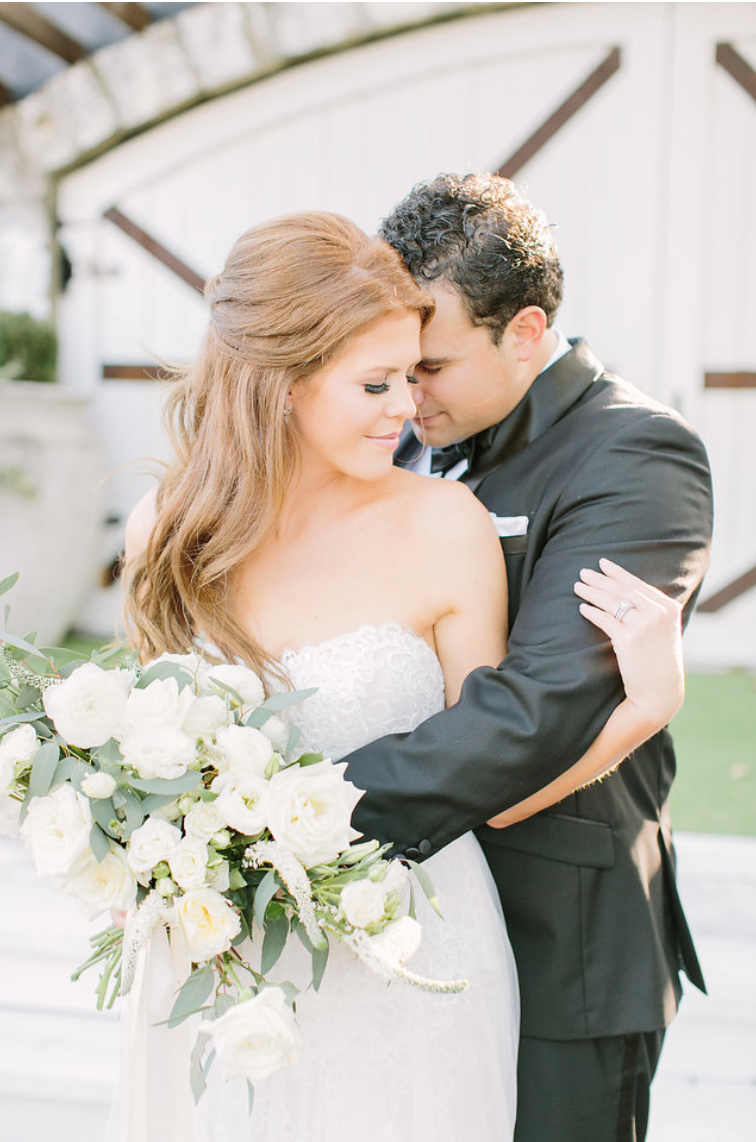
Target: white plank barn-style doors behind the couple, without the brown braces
{"x":632,"y":184}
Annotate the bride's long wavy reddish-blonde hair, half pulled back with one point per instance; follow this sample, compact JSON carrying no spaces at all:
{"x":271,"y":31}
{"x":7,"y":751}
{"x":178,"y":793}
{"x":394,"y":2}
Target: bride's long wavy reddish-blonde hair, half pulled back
{"x":293,"y":293}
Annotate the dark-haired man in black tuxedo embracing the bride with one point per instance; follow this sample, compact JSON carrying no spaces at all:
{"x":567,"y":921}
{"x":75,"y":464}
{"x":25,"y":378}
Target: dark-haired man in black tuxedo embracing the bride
{"x":574,"y":464}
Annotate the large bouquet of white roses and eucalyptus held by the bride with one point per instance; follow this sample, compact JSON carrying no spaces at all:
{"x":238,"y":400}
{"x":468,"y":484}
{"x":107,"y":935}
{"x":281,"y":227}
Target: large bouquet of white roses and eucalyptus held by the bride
{"x":172,"y":794}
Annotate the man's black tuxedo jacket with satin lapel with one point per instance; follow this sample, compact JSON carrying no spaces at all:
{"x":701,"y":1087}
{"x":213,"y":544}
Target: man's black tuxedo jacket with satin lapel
{"x":589,"y":887}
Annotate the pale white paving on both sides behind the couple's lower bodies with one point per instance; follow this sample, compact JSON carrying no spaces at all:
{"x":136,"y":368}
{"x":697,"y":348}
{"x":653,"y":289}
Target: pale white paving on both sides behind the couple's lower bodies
{"x":59,"y":1058}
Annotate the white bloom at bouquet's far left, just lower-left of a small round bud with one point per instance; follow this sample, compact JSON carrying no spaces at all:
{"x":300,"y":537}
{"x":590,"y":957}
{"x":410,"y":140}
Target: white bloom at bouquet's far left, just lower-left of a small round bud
{"x":57,"y":831}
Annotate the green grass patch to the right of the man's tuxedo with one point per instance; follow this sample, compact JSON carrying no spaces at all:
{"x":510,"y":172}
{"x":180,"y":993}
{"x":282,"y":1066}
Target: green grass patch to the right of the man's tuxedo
{"x":715,"y":742}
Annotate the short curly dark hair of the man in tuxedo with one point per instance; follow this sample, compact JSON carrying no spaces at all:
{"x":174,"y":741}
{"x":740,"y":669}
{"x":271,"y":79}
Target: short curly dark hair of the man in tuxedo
{"x":482,"y":236}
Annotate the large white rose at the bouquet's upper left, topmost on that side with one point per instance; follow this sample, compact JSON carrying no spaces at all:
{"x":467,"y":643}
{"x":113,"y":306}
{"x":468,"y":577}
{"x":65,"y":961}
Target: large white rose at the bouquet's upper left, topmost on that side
{"x":89,"y":706}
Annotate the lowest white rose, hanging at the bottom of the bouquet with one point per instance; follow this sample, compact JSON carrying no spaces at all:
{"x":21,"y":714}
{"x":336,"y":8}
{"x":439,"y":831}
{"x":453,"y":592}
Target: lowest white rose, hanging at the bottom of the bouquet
{"x":256,"y":1038}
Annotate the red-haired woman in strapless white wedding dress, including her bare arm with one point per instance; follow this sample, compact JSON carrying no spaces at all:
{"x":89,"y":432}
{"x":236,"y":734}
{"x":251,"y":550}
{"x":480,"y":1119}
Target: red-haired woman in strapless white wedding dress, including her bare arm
{"x":285,"y":535}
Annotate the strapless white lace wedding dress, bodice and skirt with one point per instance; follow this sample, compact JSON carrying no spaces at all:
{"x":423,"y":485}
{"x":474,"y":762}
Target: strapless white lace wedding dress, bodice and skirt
{"x":385,"y":1063}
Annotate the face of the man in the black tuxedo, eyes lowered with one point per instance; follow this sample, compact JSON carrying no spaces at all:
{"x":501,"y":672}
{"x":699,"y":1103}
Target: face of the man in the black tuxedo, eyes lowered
{"x":465,"y":383}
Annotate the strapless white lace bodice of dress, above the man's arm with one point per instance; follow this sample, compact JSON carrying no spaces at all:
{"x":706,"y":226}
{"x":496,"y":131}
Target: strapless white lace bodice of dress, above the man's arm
{"x":373,"y":681}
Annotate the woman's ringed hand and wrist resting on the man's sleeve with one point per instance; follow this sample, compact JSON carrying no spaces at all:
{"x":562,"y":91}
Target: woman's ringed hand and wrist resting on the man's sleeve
{"x":646,"y":630}
